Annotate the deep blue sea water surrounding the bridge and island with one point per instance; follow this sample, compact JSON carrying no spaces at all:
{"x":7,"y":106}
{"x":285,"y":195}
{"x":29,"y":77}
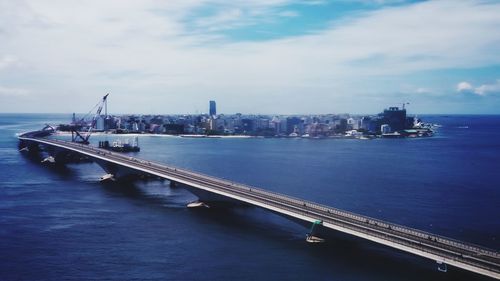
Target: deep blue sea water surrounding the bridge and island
{"x":62,"y":224}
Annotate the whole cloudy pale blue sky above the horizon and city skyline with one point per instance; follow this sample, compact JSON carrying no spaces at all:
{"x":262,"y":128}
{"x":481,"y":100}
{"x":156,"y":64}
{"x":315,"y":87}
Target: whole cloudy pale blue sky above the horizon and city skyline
{"x":260,"y":56}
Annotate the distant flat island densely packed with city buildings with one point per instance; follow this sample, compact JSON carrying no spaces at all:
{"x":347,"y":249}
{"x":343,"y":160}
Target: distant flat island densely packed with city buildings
{"x":391,"y":123}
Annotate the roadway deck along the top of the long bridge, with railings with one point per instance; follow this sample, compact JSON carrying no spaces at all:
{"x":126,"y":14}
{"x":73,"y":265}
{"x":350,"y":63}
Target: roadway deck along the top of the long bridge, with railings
{"x":307,"y":204}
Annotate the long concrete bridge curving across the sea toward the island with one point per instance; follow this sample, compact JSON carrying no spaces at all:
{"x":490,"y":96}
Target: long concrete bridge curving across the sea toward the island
{"x":445,"y":251}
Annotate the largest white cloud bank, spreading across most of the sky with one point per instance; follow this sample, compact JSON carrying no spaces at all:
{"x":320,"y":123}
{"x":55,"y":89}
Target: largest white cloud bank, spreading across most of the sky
{"x":87,"y":47}
